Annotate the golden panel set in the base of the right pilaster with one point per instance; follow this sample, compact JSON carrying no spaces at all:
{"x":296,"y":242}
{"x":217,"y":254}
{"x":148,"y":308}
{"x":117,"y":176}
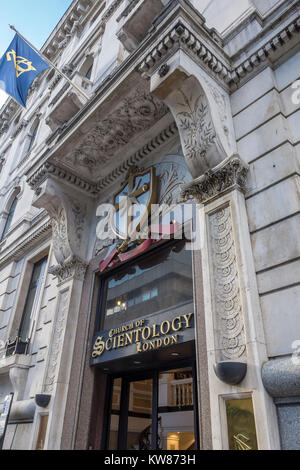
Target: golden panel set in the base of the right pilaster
{"x":241,"y":424}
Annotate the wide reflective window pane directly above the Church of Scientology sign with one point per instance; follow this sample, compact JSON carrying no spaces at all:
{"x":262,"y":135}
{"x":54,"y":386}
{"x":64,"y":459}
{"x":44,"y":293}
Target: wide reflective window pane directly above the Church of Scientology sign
{"x":159,"y":282}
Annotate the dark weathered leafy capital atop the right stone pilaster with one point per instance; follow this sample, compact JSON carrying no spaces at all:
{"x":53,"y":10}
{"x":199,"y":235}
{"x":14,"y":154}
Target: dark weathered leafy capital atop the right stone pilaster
{"x":228,"y":175}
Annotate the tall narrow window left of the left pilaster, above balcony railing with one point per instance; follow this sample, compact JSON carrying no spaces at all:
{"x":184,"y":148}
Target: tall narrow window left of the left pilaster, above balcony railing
{"x":32,"y":298}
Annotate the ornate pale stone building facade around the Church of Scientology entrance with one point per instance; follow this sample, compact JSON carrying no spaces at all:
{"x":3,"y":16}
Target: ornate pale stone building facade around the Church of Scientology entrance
{"x":204,"y":92}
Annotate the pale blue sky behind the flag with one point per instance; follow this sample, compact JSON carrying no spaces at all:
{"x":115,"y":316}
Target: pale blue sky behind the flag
{"x":35,"y":19}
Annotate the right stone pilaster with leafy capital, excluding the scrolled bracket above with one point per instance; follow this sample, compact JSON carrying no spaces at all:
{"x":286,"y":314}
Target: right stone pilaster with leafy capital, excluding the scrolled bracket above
{"x":235,"y":340}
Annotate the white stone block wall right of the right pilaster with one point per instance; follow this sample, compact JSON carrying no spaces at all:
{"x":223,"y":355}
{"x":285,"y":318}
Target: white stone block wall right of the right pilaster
{"x":268,"y":137}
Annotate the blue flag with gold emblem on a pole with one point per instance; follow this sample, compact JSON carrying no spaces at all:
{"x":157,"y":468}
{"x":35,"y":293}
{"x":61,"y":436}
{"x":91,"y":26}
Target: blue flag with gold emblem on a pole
{"x":19,"y":66}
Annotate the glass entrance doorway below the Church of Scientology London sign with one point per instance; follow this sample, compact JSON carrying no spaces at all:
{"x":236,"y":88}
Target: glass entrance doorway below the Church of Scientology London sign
{"x":154,"y":411}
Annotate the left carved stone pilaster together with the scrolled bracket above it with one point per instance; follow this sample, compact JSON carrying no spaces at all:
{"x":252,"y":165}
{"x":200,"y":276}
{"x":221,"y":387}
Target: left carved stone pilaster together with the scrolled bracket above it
{"x":71,"y":221}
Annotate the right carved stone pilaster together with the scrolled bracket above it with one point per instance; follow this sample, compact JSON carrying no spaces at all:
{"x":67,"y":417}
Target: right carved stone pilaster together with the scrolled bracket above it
{"x":235,"y":343}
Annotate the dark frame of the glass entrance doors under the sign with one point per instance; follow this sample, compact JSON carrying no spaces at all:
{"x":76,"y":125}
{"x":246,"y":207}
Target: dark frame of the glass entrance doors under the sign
{"x":124,"y":403}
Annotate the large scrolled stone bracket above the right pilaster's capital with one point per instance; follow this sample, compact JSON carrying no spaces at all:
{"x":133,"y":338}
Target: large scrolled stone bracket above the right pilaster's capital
{"x":201,"y":109}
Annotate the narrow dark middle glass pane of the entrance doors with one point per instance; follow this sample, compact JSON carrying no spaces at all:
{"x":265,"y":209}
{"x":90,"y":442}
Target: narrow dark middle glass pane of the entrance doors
{"x":139,"y":432}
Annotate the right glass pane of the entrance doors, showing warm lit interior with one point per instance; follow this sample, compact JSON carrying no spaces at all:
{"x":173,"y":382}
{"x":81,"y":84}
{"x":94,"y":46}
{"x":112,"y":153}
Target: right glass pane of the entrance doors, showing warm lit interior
{"x":176,"y":410}
